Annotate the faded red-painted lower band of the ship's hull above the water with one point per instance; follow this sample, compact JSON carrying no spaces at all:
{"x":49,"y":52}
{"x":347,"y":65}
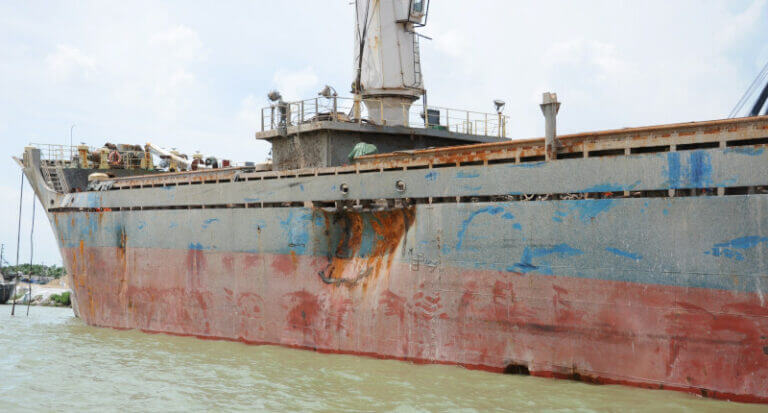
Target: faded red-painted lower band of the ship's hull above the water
{"x":704,"y":341}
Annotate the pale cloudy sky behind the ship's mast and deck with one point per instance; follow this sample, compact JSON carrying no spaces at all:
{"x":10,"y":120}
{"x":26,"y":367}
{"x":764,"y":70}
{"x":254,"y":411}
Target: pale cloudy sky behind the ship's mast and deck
{"x":194,"y":74}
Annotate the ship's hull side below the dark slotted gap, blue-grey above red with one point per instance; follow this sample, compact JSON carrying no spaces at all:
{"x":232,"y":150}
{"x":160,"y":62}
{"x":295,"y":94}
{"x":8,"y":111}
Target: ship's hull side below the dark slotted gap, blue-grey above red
{"x":480,"y":285}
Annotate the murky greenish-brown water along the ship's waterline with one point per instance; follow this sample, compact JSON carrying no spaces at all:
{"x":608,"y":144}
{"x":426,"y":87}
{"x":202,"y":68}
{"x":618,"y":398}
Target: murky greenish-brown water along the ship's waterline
{"x":52,"y":361}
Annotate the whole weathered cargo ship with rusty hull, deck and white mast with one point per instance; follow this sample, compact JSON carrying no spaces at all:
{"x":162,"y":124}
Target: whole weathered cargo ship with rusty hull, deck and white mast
{"x":387,"y":228}
